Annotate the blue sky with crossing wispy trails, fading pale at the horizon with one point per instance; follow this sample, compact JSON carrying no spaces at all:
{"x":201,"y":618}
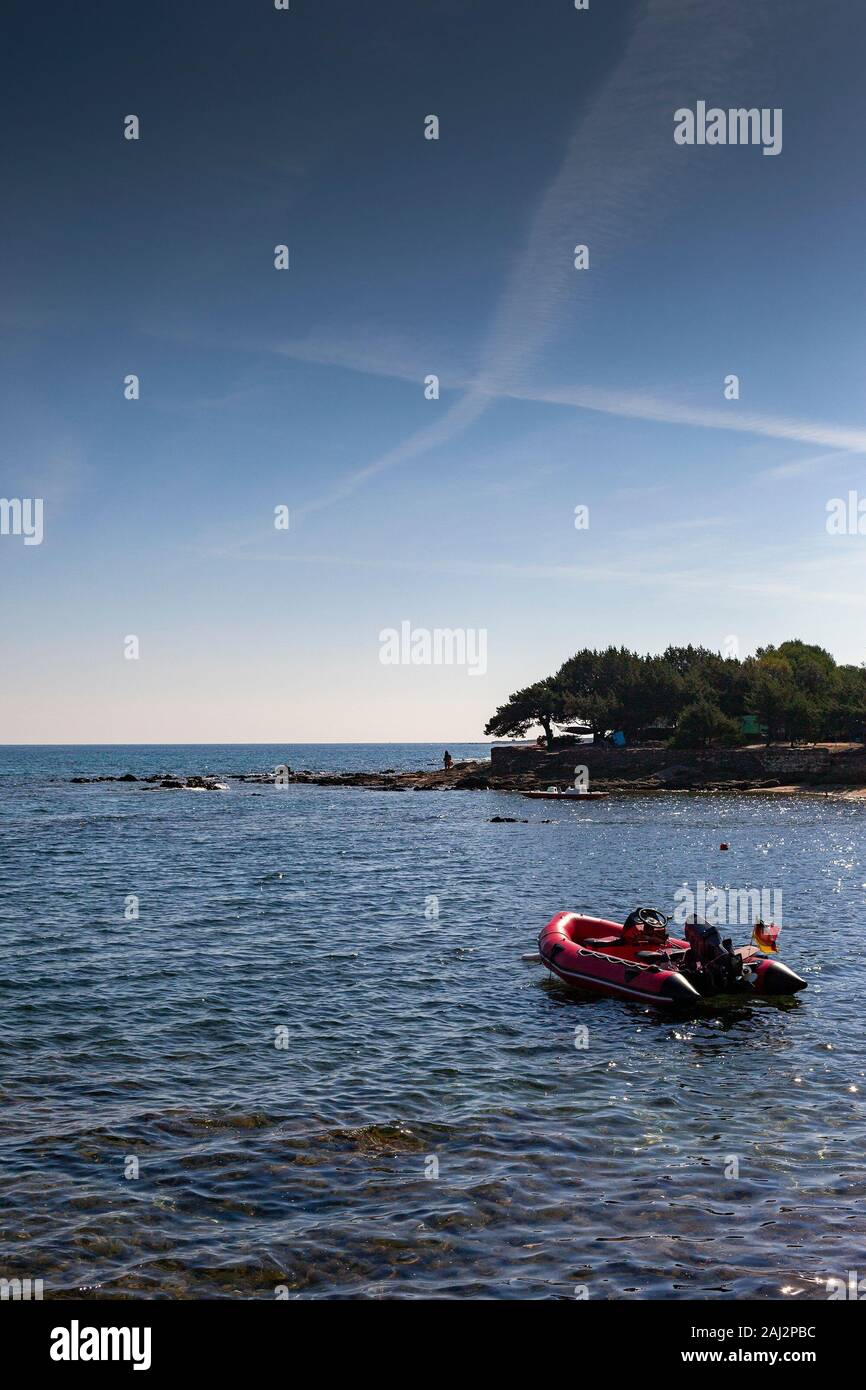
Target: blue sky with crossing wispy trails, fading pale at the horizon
{"x":408,"y":258}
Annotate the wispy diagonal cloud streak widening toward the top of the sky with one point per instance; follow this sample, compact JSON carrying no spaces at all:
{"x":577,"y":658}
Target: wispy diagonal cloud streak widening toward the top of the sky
{"x":612,"y":163}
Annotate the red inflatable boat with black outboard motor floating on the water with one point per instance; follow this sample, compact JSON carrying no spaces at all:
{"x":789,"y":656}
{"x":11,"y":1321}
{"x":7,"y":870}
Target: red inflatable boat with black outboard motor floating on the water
{"x":640,"y":961}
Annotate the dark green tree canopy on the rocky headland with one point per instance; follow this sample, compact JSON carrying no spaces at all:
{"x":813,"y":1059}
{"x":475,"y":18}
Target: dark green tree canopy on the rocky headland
{"x":794,"y":692}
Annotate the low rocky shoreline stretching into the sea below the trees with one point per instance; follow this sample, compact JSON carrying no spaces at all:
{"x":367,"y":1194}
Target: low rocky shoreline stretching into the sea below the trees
{"x":476,"y":776}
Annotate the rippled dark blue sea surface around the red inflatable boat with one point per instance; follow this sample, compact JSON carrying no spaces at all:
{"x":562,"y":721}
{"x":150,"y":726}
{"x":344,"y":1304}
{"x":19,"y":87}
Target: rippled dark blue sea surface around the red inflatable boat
{"x":414,"y":1046}
